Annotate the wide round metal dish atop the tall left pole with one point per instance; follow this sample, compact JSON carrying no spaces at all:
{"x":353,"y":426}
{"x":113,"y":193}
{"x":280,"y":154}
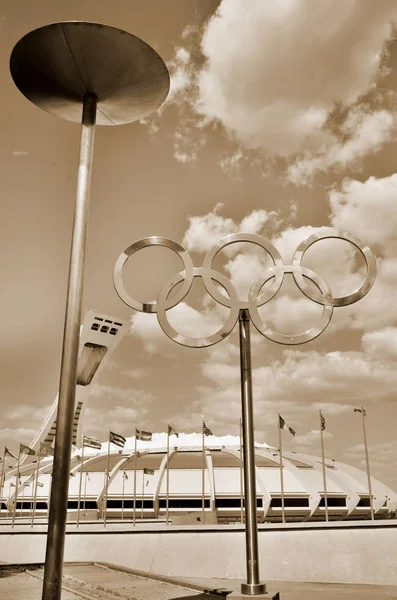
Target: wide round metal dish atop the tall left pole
{"x":55,"y":65}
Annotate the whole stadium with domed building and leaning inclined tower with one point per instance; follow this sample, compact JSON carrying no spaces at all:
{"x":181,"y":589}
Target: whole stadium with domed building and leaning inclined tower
{"x":202,"y":486}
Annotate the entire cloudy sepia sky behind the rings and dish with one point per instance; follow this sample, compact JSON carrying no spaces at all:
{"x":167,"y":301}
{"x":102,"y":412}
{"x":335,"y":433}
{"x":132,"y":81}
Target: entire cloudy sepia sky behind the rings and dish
{"x":281,"y":120}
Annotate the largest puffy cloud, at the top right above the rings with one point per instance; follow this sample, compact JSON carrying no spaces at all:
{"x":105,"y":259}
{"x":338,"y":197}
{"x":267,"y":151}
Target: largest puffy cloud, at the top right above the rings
{"x":272,"y":78}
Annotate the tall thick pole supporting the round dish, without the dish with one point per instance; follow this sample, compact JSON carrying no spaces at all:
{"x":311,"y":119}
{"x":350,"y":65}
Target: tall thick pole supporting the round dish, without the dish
{"x":67,"y":386}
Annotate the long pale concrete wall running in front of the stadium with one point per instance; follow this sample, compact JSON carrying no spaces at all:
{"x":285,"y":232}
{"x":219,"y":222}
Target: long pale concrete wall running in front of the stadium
{"x":335,"y":553}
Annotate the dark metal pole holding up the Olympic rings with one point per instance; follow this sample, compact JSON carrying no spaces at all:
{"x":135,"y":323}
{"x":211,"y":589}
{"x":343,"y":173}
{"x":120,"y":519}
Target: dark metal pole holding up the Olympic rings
{"x":253,"y":585}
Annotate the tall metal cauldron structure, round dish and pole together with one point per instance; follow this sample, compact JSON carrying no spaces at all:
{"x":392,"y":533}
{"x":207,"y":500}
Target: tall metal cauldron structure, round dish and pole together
{"x":92,"y":74}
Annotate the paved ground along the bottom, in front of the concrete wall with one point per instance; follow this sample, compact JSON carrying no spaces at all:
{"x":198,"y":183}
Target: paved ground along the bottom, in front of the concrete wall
{"x":99,"y":582}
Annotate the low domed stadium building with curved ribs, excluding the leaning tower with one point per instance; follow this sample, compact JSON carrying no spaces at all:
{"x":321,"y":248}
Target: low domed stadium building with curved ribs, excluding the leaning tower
{"x":347,"y":488}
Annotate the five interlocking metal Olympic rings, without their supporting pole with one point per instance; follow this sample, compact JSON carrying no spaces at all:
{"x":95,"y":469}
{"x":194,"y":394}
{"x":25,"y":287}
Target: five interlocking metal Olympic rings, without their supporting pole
{"x":275,"y":274}
